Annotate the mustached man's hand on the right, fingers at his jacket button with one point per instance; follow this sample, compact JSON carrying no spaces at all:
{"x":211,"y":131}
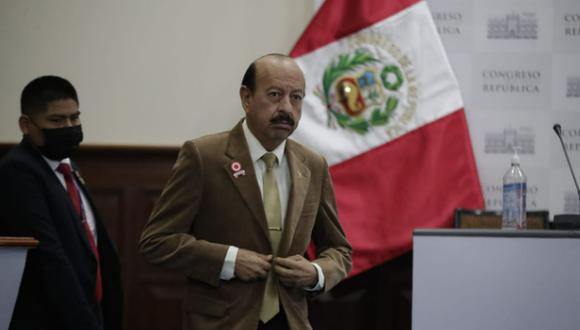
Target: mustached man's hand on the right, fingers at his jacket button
{"x":295,"y":271}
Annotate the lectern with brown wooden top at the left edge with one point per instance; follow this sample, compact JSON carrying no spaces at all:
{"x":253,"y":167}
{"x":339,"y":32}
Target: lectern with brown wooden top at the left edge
{"x":13,"y":251}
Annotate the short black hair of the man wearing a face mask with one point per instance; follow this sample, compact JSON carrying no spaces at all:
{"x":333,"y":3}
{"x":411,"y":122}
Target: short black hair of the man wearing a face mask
{"x":43,"y":90}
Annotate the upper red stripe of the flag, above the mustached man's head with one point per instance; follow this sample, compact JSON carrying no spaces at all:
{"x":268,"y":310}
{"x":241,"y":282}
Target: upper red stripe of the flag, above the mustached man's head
{"x":339,"y":18}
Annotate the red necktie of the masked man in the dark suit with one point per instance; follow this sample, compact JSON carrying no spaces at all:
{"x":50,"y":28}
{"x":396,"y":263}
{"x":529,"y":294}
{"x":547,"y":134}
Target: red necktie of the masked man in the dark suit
{"x":76,"y":200}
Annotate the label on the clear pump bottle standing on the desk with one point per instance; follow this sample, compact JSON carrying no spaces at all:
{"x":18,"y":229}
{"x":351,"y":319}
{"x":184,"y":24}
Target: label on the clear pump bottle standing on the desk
{"x":514,"y":205}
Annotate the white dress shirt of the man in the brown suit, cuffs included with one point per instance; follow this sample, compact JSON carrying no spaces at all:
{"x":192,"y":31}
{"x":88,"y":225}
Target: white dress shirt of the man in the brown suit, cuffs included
{"x":282,"y":173}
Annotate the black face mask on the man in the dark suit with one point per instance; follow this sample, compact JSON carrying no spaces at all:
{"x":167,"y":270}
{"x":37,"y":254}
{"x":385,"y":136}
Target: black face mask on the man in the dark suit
{"x":60,"y":143}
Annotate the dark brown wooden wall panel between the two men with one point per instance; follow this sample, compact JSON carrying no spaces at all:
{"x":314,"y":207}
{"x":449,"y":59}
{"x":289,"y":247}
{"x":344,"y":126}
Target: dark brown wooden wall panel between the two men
{"x":126,"y":183}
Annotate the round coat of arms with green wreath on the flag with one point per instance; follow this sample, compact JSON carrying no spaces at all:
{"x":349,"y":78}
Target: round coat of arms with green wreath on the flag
{"x":370,"y":87}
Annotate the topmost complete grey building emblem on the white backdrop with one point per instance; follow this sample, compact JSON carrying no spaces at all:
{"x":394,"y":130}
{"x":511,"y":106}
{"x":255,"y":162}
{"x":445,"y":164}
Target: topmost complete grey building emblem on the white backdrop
{"x":513,"y":26}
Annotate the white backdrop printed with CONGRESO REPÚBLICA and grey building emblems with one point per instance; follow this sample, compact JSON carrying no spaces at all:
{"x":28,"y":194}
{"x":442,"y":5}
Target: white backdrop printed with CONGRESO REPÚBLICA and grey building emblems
{"x":518,"y":66}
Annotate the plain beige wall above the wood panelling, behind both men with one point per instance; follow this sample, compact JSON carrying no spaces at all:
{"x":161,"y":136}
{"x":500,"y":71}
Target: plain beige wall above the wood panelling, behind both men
{"x":147,"y":72}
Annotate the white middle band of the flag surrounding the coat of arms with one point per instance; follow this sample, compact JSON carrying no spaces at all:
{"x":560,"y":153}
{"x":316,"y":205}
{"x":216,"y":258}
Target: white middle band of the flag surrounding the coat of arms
{"x":414,"y":33}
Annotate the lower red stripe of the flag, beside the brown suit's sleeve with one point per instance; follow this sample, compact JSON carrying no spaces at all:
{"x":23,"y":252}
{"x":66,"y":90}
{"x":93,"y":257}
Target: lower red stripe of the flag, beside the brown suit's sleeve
{"x":415,"y":181}
